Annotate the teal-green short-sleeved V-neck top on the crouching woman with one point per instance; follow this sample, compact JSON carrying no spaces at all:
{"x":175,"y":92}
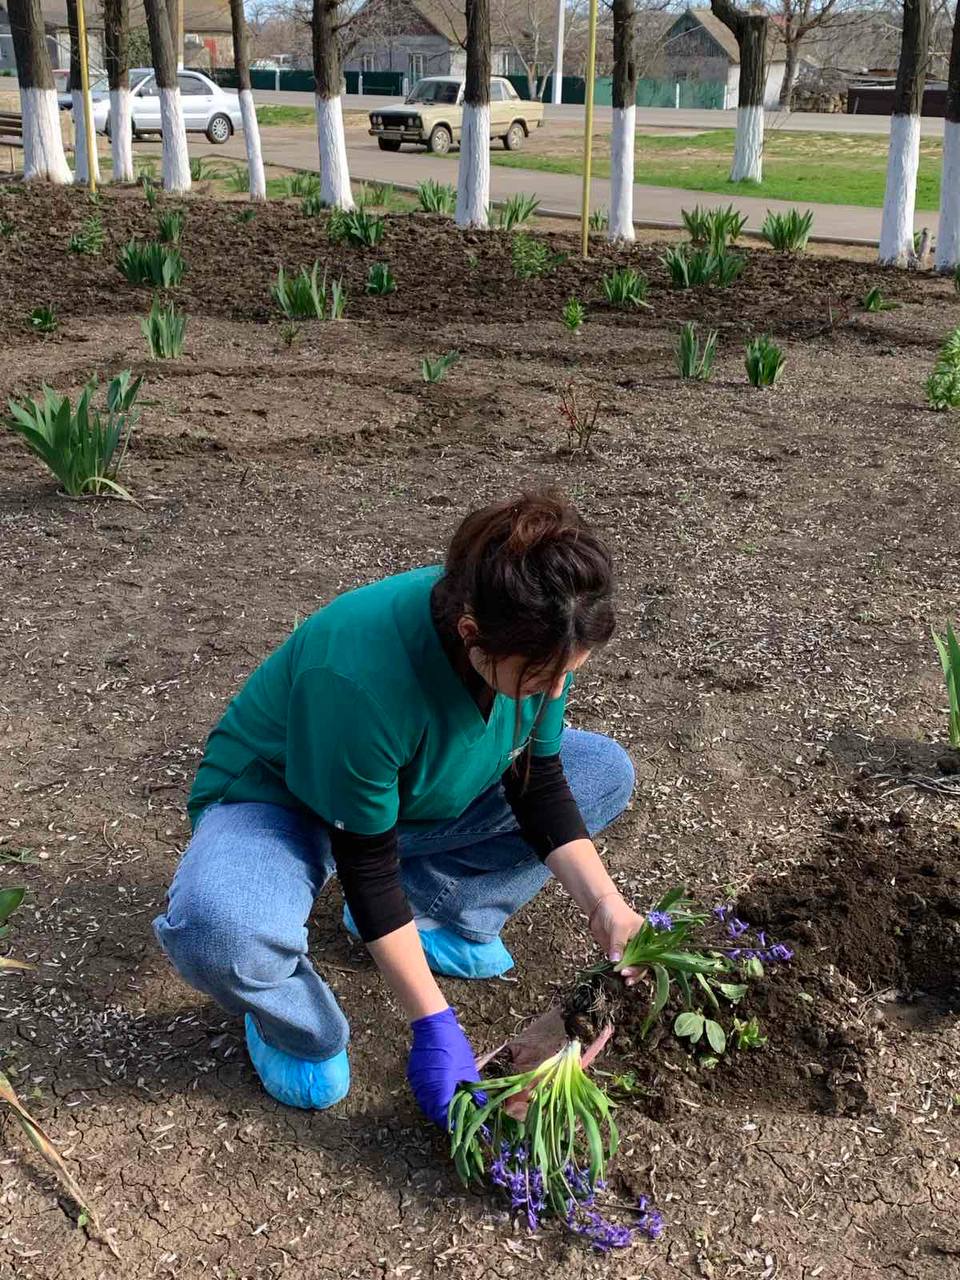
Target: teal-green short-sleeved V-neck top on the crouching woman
{"x":360,"y":717}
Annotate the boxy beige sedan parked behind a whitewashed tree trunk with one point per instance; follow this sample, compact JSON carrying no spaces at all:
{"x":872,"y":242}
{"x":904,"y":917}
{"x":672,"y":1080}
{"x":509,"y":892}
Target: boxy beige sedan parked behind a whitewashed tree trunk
{"x":433,"y":115}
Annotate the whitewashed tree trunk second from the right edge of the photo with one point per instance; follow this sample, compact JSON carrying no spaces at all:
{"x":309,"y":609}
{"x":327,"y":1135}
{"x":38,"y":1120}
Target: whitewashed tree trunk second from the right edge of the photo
{"x":897,"y":244}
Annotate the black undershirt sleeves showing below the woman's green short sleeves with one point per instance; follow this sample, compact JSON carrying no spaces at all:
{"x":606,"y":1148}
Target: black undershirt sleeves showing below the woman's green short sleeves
{"x":369,"y":866}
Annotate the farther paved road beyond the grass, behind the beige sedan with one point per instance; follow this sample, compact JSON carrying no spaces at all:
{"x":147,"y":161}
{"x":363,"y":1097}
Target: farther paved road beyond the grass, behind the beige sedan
{"x":662,"y":117}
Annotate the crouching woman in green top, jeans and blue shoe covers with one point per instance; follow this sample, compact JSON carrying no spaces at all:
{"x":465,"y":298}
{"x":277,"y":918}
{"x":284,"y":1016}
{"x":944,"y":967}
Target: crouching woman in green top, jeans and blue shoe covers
{"x":410,"y":738}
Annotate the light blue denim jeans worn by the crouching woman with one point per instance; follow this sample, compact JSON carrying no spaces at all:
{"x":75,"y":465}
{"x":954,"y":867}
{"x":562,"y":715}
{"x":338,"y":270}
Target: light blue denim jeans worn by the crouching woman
{"x":236,"y":924}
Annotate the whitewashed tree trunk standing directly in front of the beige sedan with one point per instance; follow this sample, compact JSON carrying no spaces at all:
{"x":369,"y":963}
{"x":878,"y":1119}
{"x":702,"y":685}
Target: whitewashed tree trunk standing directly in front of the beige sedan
{"x":474,"y":173}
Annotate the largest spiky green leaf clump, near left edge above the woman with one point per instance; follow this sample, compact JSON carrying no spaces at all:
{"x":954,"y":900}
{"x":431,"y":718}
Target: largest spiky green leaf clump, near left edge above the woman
{"x":84,"y":447}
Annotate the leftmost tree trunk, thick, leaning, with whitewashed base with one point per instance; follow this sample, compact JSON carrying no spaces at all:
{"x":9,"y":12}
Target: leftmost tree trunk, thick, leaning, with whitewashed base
{"x":44,"y":158}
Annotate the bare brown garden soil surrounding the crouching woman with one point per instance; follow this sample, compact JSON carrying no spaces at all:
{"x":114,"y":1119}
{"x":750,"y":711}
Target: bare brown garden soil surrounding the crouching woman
{"x":783,"y":556}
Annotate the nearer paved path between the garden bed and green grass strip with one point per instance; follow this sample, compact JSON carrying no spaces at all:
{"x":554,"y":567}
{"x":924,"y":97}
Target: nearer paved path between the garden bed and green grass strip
{"x":560,"y":194}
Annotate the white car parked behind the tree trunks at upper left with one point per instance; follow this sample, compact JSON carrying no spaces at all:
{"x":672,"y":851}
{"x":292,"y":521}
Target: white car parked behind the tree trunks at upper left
{"x":207,"y":108}
